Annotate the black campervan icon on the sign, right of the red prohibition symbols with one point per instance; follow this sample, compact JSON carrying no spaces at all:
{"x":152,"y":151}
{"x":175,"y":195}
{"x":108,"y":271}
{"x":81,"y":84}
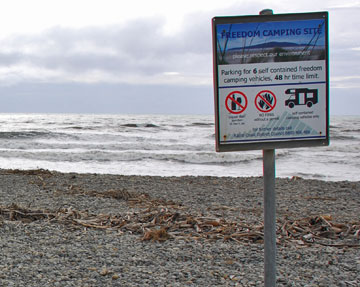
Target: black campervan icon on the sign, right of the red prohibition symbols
{"x":302,"y":96}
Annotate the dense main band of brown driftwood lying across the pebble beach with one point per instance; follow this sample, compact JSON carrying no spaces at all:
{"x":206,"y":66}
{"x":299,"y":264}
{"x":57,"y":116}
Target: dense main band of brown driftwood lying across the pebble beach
{"x":160,"y":223}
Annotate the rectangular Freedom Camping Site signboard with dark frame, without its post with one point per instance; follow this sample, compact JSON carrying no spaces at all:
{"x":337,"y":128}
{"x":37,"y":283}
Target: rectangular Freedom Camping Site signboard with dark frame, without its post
{"x":271,"y":81}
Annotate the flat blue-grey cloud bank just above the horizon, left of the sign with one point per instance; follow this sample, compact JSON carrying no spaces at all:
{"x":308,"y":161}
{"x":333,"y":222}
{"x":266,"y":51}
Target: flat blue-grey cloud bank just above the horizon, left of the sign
{"x":105,"y":98}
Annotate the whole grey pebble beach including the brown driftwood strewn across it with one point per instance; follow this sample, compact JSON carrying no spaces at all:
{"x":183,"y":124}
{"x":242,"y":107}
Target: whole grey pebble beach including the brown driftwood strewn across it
{"x":71,"y":229}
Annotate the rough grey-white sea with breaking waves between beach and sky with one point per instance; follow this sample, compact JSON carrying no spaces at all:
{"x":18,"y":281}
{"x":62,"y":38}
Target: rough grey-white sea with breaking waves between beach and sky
{"x":163,"y":145}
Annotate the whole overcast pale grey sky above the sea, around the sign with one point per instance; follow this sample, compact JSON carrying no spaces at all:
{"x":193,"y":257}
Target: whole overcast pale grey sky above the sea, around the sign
{"x":111,"y":56}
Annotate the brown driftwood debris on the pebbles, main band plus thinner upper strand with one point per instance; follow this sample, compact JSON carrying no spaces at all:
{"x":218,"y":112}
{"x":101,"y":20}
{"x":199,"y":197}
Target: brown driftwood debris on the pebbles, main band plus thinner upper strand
{"x":161,"y":220}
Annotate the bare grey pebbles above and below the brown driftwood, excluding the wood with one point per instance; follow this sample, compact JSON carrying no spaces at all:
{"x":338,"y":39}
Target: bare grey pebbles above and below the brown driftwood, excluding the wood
{"x":43,"y":253}
